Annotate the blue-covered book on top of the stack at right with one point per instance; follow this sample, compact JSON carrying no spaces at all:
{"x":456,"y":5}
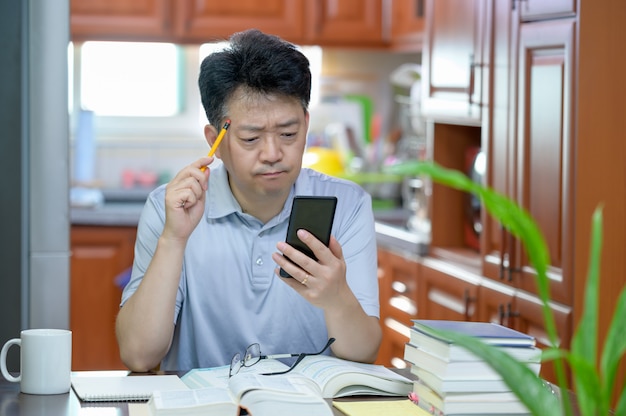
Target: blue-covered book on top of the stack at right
{"x":489,"y":332}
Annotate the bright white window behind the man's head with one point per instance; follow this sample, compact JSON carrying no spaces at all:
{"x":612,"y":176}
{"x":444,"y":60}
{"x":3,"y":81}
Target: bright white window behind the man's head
{"x":149,"y":89}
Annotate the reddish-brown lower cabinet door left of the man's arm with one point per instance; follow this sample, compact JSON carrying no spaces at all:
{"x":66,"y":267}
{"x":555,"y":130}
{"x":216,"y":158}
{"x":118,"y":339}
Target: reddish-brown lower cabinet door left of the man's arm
{"x":99,"y":255}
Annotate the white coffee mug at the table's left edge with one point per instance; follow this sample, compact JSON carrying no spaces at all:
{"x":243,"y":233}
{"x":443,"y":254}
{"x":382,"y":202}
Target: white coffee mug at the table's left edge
{"x":45,"y":361}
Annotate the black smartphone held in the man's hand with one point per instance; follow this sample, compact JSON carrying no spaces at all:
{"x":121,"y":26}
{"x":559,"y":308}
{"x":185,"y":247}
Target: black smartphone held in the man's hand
{"x":314,"y":214}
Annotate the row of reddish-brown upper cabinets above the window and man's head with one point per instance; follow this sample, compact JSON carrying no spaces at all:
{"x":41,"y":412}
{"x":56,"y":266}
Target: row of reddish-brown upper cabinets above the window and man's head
{"x":341,"y":23}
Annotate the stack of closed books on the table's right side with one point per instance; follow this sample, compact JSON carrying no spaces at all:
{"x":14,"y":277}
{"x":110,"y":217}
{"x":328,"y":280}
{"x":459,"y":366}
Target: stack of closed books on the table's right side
{"x":453,"y":381}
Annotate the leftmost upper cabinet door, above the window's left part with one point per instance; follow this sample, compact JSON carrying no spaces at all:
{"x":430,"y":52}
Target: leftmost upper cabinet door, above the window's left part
{"x":119,"y":19}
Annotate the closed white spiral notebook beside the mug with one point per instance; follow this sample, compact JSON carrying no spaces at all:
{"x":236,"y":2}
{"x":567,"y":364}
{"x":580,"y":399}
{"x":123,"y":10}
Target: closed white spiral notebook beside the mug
{"x":124,"y":388}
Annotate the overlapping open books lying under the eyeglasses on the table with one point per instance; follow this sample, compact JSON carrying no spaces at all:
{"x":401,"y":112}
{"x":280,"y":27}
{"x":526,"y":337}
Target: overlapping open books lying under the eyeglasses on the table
{"x":301,"y":391}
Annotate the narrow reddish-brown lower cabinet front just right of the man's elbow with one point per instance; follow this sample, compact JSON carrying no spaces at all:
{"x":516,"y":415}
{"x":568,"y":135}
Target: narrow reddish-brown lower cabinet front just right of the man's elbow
{"x":398,"y":277}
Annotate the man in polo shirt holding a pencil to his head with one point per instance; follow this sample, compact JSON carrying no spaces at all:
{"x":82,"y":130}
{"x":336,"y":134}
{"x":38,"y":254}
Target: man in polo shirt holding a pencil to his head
{"x":205,"y":280}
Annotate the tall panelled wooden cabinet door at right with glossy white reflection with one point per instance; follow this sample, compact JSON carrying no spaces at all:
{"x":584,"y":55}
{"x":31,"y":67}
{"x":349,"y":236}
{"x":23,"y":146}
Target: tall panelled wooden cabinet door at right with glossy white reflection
{"x":545,"y":156}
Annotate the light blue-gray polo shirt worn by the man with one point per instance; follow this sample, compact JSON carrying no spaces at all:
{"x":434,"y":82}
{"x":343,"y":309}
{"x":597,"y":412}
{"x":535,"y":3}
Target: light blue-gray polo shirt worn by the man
{"x":229,"y":296}
